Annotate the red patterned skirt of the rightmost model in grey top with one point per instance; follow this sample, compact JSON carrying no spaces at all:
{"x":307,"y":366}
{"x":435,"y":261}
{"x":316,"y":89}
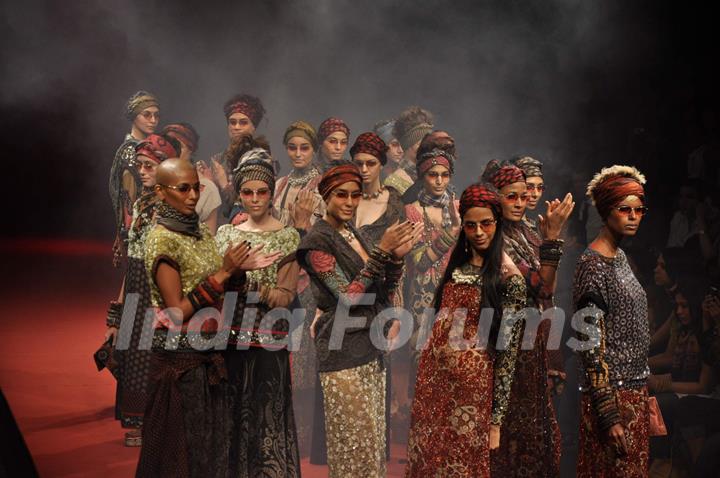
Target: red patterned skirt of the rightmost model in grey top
{"x":596,"y":459}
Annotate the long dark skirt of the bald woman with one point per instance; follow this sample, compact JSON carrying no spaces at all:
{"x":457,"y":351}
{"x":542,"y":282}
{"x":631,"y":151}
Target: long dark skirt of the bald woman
{"x":187,"y":423}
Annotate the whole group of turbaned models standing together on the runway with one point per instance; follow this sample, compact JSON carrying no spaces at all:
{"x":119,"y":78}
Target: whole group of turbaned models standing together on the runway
{"x":385,"y":221}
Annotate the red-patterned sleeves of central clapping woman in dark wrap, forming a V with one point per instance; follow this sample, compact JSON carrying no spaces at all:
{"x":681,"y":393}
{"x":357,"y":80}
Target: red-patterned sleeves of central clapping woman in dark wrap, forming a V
{"x":350,"y":291}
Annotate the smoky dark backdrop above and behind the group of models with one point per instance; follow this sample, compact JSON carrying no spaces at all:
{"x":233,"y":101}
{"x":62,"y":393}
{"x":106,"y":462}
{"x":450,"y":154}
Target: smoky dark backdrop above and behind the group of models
{"x":578,"y":84}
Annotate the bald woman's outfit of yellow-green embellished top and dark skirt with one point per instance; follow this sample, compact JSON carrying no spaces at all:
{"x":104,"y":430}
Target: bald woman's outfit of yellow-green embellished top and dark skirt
{"x":187,"y":423}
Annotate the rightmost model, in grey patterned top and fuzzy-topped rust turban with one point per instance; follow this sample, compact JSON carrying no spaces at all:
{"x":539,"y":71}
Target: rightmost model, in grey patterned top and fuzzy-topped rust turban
{"x":614,"y":411}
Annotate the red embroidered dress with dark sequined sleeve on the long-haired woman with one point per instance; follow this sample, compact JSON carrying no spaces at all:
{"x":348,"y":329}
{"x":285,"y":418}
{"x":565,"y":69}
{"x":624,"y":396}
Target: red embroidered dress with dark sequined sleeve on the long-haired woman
{"x":461,"y":390}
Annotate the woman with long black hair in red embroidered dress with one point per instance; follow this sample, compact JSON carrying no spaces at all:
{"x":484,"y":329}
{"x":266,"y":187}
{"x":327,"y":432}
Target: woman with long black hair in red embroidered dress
{"x":463,"y":388}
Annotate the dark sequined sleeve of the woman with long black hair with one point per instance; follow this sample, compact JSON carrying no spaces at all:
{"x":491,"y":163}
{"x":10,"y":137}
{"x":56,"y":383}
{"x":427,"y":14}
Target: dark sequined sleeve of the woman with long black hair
{"x":513,"y":300}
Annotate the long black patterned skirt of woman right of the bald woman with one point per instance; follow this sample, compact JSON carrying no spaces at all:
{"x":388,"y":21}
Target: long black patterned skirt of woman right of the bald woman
{"x":264,"y":438}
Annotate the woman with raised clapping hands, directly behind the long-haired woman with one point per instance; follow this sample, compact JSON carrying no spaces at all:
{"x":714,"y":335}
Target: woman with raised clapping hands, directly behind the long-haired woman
{"x":530,"y":436}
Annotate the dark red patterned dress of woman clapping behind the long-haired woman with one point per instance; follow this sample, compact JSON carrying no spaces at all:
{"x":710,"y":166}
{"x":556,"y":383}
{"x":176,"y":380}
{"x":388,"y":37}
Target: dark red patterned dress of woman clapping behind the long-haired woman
{"x":530,"y":436}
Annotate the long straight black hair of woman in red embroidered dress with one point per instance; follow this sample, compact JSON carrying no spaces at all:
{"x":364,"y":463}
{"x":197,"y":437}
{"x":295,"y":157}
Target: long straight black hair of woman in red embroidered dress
{"x":492,"y":281}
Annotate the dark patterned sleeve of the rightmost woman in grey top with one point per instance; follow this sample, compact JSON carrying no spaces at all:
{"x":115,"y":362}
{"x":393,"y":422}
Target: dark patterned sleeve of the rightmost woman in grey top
{"x":588,"y":297}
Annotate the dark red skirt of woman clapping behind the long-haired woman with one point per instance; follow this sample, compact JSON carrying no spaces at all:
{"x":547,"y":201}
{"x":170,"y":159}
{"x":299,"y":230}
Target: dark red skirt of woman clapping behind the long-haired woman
{"x":530,"y":435}
